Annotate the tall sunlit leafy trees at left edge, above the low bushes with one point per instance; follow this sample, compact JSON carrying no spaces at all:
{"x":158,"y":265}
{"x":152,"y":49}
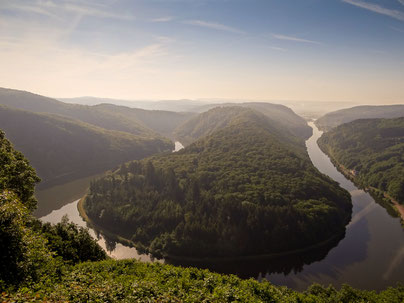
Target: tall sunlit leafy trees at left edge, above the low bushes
{"x":29,"y":249}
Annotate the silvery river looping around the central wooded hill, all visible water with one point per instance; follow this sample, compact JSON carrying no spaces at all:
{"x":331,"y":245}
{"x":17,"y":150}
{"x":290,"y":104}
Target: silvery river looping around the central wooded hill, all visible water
{"x":369,"y":256}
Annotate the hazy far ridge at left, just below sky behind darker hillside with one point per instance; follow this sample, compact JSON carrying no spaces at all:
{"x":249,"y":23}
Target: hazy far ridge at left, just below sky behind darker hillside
{"x":136,"y":121}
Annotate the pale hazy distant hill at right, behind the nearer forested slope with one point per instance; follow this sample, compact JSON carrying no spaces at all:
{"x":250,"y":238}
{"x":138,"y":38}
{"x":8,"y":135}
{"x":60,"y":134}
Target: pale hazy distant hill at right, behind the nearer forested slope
{"x":333,"y":119}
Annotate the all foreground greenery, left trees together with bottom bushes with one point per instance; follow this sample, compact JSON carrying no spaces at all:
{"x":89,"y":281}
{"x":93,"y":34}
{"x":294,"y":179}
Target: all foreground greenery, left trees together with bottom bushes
{"x":62,"y":263}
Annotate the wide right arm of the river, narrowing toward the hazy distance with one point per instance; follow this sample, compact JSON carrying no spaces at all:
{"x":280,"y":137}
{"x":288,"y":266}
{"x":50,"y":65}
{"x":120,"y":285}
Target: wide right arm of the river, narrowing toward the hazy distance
{"x":373,"y":242}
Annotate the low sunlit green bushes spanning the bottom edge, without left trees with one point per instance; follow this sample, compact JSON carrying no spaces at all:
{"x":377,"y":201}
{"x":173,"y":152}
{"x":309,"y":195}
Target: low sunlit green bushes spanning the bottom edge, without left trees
{"x":133,"y":281}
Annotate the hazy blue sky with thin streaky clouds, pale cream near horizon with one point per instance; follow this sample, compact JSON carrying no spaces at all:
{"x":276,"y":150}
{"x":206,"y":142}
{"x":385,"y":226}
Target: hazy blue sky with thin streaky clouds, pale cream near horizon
{"x":335,"y":50}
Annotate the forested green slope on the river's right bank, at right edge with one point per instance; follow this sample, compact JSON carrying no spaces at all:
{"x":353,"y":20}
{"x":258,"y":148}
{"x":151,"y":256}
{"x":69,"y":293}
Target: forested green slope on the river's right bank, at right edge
{"x":373,"y":150}
